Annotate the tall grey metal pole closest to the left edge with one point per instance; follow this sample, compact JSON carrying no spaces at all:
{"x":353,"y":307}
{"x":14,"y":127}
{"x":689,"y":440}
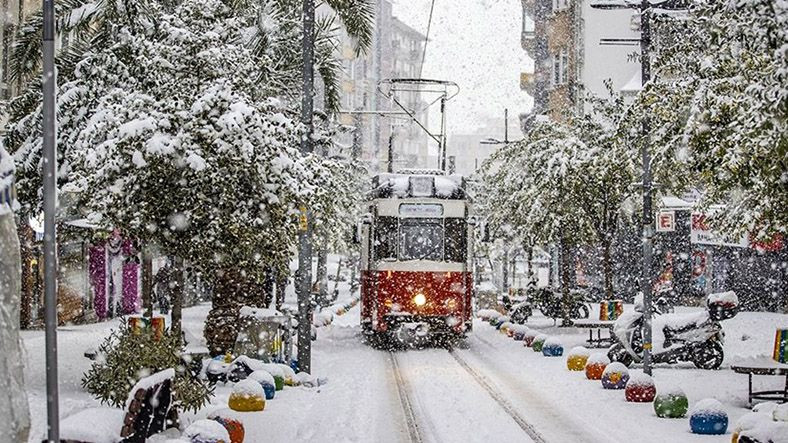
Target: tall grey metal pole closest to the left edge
{"x":49,"y":158}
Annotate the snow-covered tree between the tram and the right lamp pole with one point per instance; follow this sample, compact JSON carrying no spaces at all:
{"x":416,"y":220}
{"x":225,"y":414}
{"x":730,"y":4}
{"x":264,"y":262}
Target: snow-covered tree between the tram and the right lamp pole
{"x":566,"y":183}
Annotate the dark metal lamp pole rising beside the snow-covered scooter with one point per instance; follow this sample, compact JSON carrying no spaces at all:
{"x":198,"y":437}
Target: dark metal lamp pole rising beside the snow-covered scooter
{"x":648,"y":222}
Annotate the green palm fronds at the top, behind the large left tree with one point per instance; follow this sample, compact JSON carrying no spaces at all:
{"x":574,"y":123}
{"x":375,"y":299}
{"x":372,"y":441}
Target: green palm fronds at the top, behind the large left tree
{"x":93,"y":24}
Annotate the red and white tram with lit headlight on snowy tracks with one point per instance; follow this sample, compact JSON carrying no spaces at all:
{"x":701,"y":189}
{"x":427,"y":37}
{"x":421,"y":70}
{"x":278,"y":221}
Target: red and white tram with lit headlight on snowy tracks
{"x":416,"y":256}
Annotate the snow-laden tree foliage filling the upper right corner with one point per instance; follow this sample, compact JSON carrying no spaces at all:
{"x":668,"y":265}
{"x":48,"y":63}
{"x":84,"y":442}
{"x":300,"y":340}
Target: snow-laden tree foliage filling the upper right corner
{"x":721,"y":101}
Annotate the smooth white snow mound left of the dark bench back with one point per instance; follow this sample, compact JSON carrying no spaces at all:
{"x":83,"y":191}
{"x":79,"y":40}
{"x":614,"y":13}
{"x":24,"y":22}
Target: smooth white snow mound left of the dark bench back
{"x":97,"y":425}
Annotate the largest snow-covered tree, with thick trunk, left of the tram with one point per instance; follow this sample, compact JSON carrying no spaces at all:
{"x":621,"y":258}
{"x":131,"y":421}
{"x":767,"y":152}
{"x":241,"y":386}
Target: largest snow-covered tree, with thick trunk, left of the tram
{"x":180,"y":132}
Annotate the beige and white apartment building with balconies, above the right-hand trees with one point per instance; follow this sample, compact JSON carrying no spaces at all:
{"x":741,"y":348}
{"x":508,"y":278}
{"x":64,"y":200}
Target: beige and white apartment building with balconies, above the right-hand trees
{"x":573,"y":50}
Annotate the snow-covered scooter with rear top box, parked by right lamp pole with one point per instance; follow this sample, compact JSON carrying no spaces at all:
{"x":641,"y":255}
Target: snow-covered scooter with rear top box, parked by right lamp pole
{"x":695,"y":337}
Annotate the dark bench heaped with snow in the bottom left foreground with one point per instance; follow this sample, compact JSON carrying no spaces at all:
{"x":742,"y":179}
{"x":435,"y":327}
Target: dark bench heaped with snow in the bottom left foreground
{"x":145,"y":415}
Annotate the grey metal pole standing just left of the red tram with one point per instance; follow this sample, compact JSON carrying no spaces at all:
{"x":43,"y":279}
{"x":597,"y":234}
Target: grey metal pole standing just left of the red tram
{"x":304,"y":277}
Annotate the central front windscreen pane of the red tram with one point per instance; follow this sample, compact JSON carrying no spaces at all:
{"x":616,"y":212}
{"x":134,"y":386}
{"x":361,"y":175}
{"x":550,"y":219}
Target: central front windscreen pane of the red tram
{"x":421,"y":239}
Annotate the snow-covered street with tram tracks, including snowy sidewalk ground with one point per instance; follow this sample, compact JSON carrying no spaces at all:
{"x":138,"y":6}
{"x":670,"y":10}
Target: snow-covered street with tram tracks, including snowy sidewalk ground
{"x":489,"y":389}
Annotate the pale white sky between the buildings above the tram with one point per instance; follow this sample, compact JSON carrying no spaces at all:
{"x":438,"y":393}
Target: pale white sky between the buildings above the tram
{"x":475,"y":43}
